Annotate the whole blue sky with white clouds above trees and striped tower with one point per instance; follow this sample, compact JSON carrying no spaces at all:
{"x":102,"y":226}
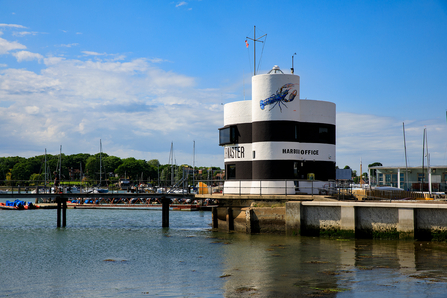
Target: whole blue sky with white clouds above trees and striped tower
{"x":140,"y":74}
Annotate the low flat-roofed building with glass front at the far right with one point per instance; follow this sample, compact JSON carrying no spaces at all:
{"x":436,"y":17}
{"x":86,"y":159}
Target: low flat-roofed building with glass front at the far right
{"x":418,"y":178}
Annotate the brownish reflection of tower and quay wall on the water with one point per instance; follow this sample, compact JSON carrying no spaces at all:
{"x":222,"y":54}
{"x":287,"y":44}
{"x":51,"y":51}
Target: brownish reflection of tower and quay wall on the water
{"x":272,"y":266}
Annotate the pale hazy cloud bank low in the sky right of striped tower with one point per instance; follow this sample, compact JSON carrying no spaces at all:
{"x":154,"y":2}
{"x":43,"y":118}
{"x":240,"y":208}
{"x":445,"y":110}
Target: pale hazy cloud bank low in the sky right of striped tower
{"x":375,"y":138}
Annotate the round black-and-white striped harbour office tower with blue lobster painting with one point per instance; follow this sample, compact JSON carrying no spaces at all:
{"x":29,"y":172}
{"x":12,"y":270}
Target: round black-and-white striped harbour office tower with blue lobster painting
{"x":276,"y":143}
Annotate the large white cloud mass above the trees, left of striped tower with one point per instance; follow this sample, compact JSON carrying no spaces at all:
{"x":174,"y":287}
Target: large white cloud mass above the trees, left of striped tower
{"x":126,"y":103}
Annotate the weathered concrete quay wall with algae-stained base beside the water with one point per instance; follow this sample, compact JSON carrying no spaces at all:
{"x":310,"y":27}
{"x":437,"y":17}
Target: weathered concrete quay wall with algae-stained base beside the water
{"x":353,"y":219}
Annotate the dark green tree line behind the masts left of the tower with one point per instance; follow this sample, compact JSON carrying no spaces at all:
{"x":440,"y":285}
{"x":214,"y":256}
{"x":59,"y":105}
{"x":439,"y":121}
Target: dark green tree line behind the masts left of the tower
{"x":87,"y":167}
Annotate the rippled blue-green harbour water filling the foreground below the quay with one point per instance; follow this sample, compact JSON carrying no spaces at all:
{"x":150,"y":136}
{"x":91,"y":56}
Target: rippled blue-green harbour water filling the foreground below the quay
{"x":126,"y":253}
